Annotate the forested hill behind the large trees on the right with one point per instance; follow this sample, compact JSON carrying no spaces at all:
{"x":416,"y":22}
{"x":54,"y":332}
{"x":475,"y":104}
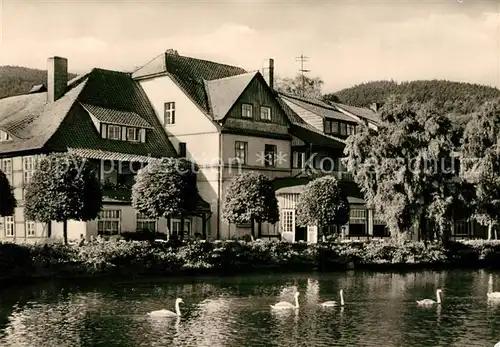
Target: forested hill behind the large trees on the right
{"x":456,"y":97}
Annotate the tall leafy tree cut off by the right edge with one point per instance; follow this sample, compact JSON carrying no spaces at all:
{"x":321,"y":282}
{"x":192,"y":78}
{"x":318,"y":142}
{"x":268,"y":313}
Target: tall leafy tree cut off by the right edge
{"x":480,"y":159}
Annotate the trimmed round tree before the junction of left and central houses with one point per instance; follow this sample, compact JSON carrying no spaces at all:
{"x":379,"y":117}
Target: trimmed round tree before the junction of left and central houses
{"x":166,"y":188}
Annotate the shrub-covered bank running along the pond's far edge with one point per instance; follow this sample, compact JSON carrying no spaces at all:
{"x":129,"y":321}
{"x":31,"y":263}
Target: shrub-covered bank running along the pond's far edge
{"x":135,"y":258}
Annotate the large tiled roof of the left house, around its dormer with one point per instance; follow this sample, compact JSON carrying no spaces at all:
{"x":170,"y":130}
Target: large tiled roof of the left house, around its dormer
{"x":38,"y":125}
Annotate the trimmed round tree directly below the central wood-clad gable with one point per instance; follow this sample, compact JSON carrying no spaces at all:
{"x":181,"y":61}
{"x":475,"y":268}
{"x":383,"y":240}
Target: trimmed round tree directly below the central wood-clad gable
{"x":250,"y":198}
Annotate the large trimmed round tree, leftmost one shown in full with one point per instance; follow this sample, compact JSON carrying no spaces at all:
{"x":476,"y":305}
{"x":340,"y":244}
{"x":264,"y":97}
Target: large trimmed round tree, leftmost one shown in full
{"x":63,"y":187}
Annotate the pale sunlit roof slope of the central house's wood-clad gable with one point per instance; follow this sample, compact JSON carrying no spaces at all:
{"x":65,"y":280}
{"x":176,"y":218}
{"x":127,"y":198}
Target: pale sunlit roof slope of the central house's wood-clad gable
{"x":224,"y":92}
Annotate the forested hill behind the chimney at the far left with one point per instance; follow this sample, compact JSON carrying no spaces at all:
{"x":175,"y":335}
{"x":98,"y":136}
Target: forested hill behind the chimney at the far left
{"x":15,"y":80}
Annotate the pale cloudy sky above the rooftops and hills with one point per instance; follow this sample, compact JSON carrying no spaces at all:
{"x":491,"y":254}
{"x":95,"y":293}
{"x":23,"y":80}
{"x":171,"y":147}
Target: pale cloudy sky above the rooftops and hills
{"x":347,"y":42}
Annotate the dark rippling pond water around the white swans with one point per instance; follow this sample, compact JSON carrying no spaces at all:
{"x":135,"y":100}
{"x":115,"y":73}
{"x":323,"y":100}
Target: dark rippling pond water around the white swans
{"x":380,"y":310}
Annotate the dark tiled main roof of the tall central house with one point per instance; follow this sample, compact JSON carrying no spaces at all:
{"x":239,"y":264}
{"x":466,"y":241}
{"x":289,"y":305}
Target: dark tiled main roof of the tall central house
{"x":192,"y":75}
